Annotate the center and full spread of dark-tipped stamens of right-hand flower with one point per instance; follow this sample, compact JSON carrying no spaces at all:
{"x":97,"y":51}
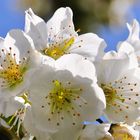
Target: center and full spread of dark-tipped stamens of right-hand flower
{"x":120,"y":95}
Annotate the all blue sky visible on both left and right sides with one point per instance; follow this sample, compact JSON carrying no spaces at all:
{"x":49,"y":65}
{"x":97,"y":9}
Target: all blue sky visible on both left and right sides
{"x":13,"y":19}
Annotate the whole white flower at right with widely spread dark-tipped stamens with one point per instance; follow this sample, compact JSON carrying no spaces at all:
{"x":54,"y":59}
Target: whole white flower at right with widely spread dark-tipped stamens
{"x":121,"y":85}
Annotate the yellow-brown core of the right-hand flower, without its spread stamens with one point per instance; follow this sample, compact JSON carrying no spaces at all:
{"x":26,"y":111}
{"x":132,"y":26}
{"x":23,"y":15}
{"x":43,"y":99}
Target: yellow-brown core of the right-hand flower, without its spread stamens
{"x":110,"y":94}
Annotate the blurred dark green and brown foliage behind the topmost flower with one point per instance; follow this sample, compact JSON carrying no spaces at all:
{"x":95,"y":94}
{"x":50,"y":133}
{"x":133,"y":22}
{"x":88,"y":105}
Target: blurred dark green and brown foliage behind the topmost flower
{"x":88,"y":14}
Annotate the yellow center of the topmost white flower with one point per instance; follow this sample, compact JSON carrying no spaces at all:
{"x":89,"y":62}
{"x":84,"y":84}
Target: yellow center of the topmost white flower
{"x":56,"y":50}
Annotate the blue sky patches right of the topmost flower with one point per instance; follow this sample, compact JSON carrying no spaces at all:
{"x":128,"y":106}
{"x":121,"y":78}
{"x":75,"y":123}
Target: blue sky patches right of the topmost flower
{"x":121,"y":33}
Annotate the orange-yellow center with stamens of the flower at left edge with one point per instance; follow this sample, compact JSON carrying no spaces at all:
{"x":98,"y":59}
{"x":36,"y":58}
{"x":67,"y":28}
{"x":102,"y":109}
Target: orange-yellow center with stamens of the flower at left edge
{"x":11,"y":72}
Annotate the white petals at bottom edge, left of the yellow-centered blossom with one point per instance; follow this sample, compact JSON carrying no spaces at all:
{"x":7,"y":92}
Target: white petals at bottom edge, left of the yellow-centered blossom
{"x":96,"y":132}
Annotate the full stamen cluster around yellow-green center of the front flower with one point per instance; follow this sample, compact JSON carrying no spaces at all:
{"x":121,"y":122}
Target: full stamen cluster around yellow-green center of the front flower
{"x":64,"y":99}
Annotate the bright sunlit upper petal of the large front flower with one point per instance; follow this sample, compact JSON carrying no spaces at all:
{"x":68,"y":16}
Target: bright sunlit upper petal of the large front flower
{"x":78,"y":65}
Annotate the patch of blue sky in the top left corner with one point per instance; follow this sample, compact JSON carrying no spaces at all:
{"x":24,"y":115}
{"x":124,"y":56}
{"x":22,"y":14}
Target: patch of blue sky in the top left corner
{"x":9,"y":17}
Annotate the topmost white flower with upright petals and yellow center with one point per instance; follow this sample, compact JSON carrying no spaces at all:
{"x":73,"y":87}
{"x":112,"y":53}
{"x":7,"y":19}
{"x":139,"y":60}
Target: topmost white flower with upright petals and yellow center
{"x":58,"y":37}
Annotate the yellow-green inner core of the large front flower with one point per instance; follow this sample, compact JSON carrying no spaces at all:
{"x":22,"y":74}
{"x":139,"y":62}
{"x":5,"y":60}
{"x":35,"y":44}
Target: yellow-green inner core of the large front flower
{"x":61,"y":97}
